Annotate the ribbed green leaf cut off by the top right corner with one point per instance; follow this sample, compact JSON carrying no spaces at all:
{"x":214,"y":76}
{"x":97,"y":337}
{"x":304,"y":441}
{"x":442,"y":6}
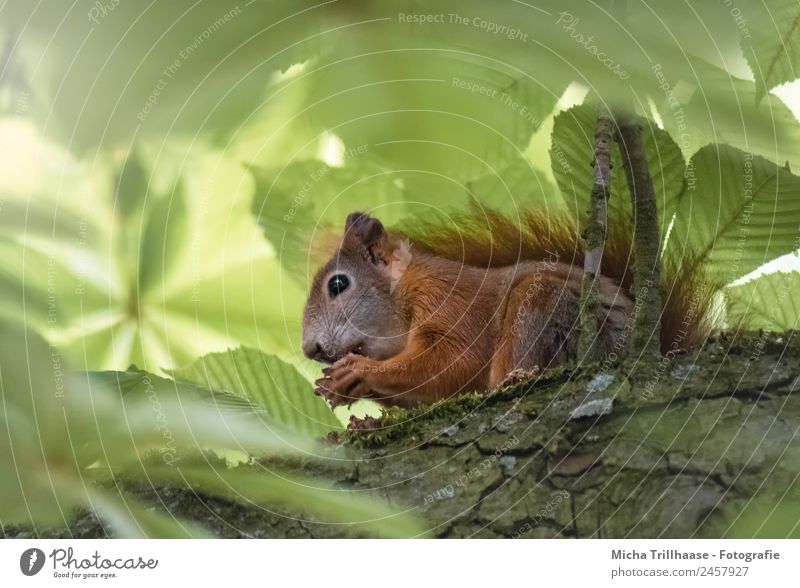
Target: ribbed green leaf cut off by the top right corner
{"x":771,"y":42}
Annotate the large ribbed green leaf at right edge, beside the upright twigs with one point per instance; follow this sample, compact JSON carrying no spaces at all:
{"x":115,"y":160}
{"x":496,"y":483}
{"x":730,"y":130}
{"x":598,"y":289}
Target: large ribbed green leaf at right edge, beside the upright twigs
{"x":738,"y":211}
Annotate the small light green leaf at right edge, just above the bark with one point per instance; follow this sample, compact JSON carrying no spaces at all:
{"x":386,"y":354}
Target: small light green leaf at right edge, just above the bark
{"x":769,"y":302}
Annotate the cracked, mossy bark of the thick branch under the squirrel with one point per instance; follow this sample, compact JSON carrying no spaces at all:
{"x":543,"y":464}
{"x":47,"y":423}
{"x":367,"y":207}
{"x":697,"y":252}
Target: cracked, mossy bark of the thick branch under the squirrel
{"x":712,"y":441}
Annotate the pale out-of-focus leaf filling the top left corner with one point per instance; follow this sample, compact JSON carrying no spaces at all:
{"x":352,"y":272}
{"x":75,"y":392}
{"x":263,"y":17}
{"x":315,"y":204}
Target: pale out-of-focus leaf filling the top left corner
{"x":108,"y":73}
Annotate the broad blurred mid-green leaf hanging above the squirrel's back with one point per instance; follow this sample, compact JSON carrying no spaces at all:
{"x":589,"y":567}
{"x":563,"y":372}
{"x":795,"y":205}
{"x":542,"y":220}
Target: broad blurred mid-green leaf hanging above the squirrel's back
{"x":439,"y":112}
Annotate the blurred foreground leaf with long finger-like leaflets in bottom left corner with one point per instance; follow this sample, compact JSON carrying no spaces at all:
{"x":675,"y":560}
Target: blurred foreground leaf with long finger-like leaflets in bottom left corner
{"x":61,"y":434}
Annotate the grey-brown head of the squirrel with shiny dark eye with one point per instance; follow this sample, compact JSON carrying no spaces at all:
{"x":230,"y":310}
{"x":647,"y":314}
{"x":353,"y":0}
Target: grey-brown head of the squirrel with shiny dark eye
{"x":350,"y":307}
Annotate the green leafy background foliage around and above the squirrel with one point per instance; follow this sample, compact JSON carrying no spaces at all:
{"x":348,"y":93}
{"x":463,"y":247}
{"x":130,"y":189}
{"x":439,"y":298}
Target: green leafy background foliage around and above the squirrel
{"x":168,"y":170}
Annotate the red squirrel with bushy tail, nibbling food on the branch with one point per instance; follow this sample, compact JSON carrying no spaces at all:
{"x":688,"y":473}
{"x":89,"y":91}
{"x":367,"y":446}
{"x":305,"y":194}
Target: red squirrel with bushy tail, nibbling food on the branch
{"x":410,"y":318}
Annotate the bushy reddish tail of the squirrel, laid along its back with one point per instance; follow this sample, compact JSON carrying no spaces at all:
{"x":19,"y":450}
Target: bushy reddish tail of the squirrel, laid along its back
{"x":487,"y":238}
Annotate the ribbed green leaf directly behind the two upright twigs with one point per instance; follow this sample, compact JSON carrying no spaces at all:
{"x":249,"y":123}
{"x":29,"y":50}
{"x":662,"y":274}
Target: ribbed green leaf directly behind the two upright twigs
{"x":572,"y":153}
